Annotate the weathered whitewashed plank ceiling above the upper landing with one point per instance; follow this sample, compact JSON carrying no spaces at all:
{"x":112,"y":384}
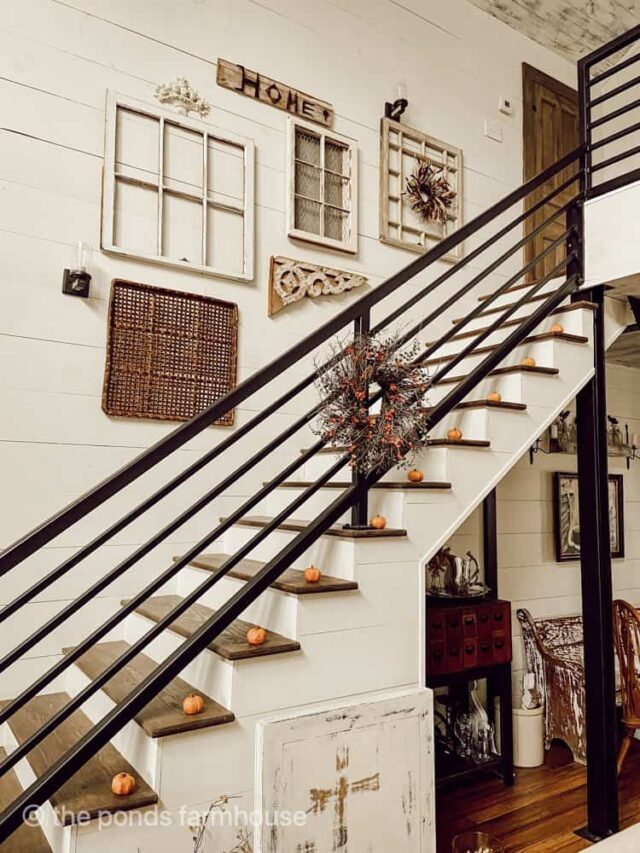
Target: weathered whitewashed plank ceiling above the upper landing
{"x":568,"y":27}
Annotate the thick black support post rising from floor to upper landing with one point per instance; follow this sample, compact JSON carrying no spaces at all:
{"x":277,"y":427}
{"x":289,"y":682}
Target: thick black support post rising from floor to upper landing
{"x":597,"y":594}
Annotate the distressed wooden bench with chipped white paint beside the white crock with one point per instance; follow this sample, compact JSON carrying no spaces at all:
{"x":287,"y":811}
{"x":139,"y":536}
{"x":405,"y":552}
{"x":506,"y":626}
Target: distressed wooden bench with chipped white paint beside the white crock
{"x":554,"y":652}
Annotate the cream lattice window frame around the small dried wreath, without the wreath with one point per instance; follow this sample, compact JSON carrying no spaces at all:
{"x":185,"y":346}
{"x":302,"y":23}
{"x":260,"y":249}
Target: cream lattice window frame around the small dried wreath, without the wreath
{"x":393,"y":229}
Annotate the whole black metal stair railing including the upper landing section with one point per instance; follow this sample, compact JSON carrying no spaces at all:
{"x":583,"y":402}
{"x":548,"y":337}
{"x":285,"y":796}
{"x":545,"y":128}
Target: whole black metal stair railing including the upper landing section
{"x":563,"y":257}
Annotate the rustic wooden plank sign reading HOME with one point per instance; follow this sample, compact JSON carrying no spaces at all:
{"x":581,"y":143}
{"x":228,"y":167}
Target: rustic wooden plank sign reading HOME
{"x":254,"y":85}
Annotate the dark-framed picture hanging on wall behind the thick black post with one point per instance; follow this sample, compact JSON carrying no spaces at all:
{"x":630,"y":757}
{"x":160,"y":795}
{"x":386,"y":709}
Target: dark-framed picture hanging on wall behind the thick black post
{"x":567,"y":515}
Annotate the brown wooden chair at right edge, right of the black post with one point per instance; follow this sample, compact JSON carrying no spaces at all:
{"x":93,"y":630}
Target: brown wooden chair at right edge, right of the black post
{"x":627,"y":639}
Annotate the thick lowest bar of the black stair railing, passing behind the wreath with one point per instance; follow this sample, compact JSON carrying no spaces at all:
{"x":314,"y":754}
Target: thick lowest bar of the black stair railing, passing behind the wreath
{"x":103,"y":731}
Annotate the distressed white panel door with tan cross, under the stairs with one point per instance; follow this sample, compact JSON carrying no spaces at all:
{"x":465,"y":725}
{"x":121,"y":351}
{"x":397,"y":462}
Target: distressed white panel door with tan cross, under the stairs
{"x":355,"y":778}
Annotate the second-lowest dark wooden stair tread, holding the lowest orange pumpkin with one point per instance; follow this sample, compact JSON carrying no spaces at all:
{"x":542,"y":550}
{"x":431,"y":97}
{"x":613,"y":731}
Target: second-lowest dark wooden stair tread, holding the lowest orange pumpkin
{"x":88,"y":790}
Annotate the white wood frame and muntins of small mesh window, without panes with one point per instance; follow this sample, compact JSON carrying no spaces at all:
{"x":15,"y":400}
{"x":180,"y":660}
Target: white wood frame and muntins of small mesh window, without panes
{"x":350,"y":177}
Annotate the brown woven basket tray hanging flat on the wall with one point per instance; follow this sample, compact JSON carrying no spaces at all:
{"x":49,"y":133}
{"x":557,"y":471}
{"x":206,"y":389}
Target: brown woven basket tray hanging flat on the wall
{"x":169,"y":354}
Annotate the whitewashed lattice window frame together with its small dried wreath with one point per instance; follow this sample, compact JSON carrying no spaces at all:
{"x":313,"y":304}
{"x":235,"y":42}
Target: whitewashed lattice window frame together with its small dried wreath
{"x":420,"y":189}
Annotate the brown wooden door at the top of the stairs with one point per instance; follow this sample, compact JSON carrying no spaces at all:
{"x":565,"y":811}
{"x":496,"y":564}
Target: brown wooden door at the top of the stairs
{"x":550,"y":131}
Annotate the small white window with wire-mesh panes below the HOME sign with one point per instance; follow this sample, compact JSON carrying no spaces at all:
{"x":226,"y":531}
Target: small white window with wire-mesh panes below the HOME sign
{"x":322,"y":204}
